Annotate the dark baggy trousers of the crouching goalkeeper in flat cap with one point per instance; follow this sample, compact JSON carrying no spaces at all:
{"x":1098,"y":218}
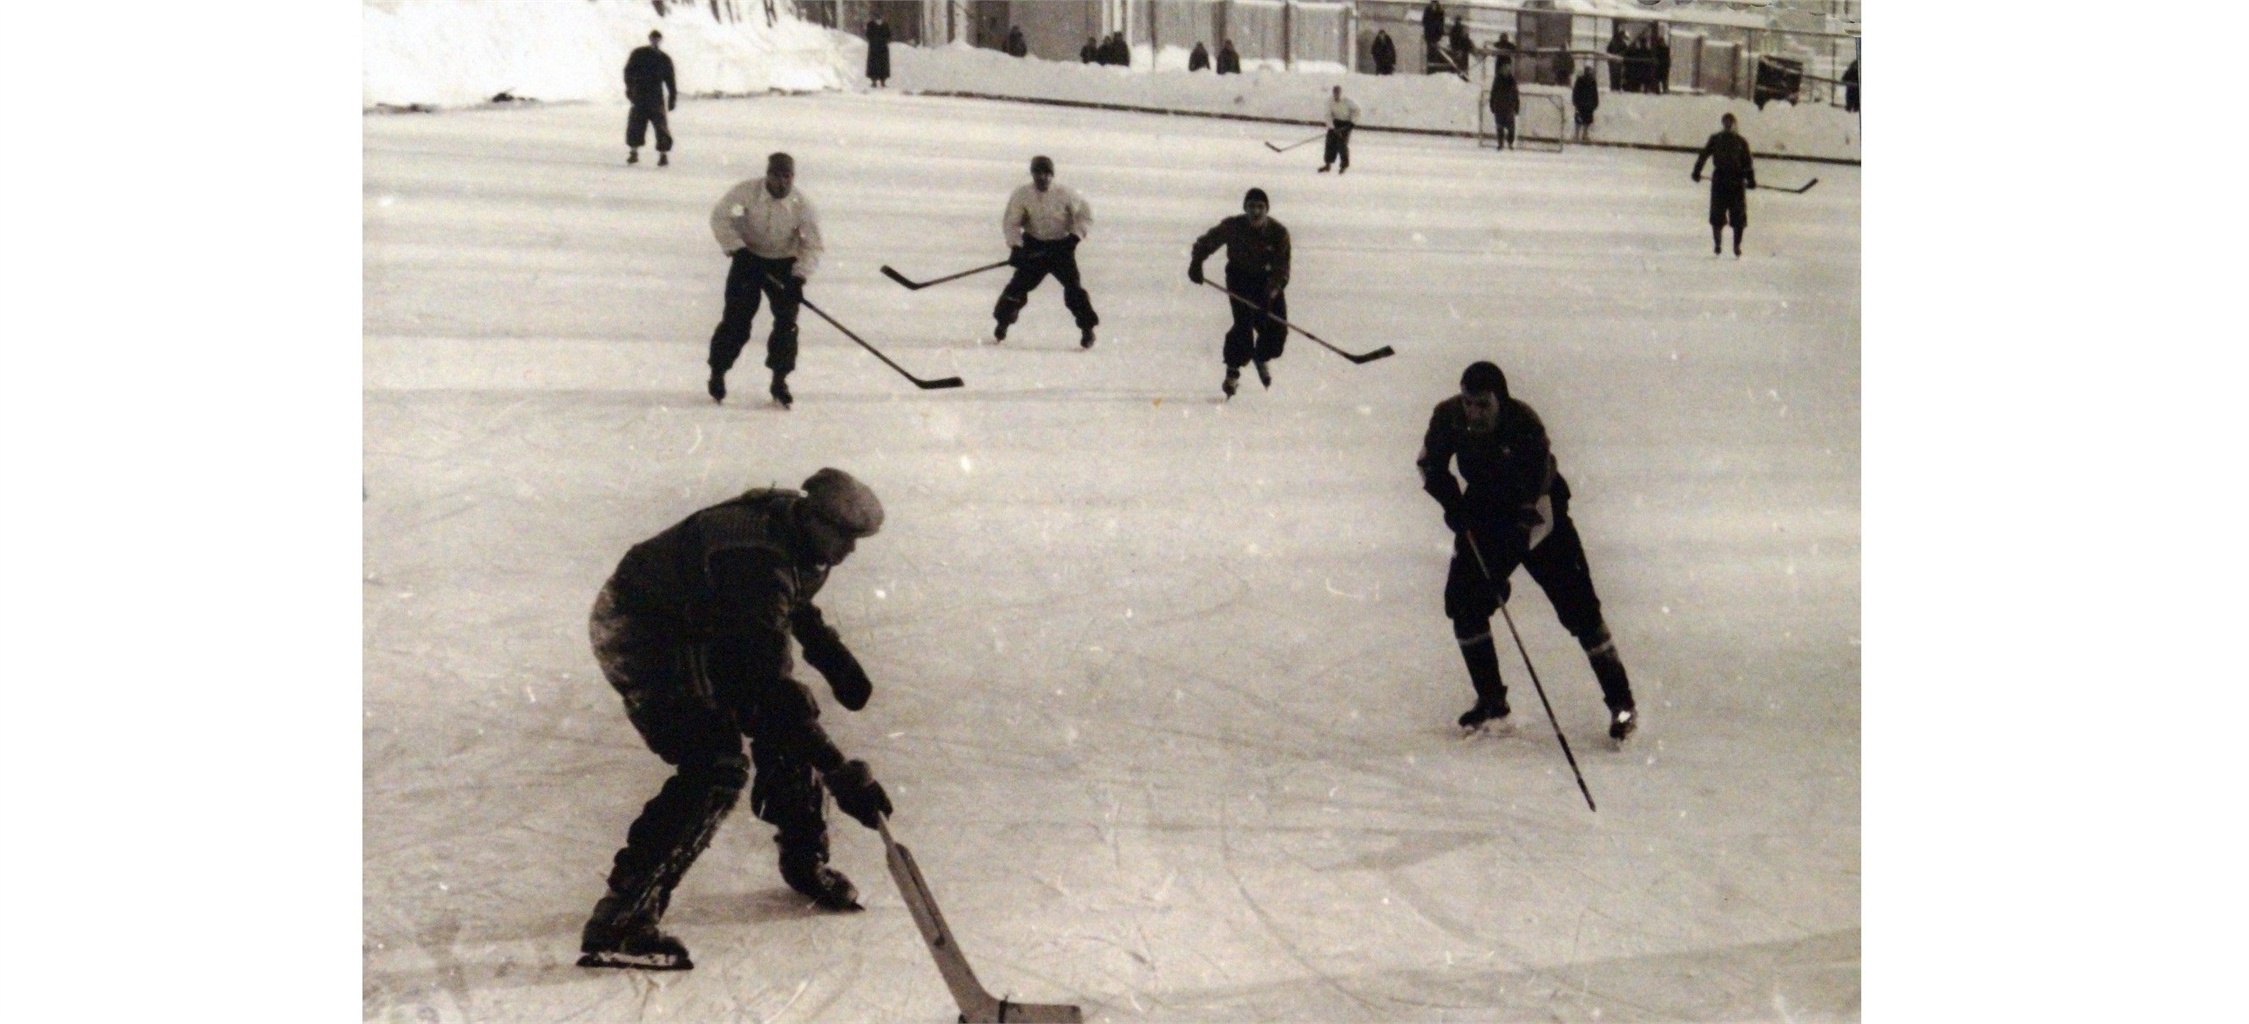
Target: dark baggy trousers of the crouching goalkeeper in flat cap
{"x":667,"y":690}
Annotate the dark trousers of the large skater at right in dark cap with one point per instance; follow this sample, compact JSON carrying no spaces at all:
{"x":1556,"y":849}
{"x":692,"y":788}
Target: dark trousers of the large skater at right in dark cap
{"x":1562,"y":573}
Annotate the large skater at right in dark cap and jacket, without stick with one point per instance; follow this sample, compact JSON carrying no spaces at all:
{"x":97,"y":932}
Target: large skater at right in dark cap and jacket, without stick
{"x":1515,"y":512}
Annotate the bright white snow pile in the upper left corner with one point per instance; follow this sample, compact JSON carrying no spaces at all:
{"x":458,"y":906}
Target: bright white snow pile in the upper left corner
{"x":453,"y":53}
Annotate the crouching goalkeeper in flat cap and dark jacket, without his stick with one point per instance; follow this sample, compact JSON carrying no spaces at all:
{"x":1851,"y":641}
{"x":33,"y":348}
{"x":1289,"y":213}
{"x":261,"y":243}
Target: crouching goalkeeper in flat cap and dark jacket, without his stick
{"x":694,"y":631}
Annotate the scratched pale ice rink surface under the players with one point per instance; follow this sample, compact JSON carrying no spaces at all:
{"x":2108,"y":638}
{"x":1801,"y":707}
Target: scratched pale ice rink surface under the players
{"x":1164,"y":688}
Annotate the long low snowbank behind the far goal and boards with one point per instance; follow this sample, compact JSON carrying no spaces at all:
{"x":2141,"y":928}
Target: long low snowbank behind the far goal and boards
{"x":1431,"y":102}
